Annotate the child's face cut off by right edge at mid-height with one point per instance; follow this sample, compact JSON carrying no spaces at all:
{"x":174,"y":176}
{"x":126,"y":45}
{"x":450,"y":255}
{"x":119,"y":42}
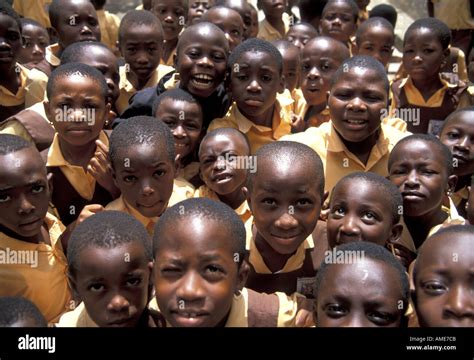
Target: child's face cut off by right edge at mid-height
{"x":458,"y":135}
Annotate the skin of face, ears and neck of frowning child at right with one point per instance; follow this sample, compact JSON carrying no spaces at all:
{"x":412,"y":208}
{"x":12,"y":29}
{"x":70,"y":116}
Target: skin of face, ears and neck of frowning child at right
{"x":418,"y":169}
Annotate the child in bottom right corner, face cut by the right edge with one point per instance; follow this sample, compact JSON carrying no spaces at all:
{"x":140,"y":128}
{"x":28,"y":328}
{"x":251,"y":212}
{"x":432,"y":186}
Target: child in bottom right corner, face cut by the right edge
{"x":443,"y":279}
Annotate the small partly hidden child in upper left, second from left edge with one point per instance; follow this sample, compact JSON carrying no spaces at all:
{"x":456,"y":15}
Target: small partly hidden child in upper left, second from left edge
{"x":36,"y":39}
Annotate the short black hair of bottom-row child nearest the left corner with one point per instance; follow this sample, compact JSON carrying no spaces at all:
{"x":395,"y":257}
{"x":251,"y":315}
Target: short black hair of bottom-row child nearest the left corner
{"x":106,"y":230}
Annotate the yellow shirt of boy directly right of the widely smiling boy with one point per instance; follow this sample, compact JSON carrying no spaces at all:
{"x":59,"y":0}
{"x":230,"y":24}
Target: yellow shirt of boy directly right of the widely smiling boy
{"x":256,"y":134}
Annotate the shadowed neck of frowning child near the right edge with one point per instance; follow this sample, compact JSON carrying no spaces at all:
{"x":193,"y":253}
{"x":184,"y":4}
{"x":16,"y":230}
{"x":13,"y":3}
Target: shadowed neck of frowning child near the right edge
{"x":420,"y":226}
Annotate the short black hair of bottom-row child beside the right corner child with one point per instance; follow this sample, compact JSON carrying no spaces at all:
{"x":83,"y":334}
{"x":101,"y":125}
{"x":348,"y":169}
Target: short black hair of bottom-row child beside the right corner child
{"x":369,"y":251}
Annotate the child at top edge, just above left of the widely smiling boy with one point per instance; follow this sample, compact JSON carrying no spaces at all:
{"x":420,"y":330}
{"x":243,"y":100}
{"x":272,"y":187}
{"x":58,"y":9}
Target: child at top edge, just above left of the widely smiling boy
{"x":173,"y":16}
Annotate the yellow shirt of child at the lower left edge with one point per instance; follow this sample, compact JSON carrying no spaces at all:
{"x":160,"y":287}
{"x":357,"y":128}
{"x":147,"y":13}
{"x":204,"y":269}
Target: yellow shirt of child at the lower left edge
{"x":36,"y":271}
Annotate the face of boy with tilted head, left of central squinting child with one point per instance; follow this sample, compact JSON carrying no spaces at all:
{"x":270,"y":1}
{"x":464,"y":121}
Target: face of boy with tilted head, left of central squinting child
{"x":144,"y":174}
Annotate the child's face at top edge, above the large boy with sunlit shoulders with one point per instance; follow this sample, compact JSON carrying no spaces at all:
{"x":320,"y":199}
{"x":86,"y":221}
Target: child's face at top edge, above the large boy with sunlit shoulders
{"x":338,"y":22}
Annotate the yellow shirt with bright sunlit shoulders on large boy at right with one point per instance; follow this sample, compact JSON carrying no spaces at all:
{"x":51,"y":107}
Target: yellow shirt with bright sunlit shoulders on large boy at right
{"x":338,"y":161}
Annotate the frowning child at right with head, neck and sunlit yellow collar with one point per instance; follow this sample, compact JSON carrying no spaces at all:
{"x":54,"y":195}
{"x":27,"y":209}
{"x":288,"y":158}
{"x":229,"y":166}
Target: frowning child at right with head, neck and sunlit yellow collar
{"x":422,"y":168}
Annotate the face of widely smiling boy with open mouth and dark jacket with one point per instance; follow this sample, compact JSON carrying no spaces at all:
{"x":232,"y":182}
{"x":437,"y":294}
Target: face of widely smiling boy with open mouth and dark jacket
{"x":202,"y":61}
